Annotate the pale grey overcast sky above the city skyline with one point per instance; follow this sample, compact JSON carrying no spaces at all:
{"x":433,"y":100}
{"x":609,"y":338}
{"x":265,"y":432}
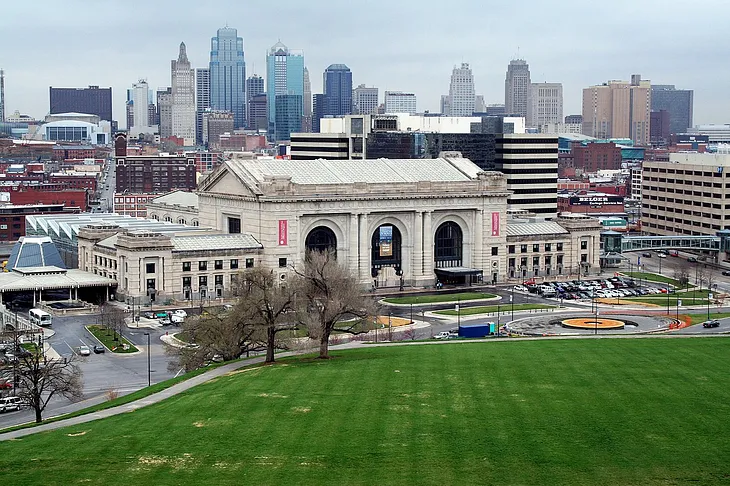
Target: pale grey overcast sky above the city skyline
{"x":395,"y":45}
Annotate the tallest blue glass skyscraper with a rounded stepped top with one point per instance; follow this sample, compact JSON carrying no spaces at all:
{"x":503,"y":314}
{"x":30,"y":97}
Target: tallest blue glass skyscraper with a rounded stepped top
{"x":228,"y":74}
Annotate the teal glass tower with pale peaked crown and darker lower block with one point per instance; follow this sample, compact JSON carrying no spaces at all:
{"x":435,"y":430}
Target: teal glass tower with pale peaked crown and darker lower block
{"x":284,"y":81}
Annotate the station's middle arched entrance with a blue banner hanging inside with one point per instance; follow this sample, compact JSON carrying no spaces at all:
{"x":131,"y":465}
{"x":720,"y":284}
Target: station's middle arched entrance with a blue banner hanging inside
{"x":385,"y":257}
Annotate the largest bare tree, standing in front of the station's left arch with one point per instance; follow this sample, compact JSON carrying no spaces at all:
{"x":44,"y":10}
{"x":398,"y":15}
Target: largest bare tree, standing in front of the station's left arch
{"x":330,"y":294}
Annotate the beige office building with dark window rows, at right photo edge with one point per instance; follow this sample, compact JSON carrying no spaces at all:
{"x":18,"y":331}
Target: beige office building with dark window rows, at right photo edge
{"x":686,"y":195}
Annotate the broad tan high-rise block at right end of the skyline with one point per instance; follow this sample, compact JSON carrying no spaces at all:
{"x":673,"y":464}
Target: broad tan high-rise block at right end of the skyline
{"x":618,"y":109}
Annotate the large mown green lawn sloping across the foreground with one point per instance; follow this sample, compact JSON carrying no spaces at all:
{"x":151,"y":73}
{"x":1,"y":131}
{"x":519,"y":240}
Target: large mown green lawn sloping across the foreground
{"x":609,"y":412}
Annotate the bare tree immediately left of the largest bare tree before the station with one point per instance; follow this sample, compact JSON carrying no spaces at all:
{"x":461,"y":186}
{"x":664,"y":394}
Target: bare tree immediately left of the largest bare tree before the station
{"x":266,"y":305}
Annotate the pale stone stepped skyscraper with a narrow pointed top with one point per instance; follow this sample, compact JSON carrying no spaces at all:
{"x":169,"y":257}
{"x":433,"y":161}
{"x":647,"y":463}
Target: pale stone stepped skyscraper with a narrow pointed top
{"x":183,"y":97}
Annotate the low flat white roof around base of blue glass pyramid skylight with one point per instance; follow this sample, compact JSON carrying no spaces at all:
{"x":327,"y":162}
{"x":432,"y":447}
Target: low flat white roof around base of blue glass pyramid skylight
{"x":74,"y":278}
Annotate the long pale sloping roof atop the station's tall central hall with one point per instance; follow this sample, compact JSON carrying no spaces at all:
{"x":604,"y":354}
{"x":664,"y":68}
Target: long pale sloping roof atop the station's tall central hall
{"x":322,"y":171}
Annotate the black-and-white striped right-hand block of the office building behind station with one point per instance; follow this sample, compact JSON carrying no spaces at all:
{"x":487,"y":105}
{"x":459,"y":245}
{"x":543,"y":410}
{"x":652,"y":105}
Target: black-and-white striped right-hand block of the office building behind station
{"x":530,"y":162}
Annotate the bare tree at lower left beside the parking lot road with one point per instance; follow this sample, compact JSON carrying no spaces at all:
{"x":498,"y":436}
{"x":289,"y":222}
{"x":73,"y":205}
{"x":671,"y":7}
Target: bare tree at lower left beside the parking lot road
{"x":40,"y":378}
